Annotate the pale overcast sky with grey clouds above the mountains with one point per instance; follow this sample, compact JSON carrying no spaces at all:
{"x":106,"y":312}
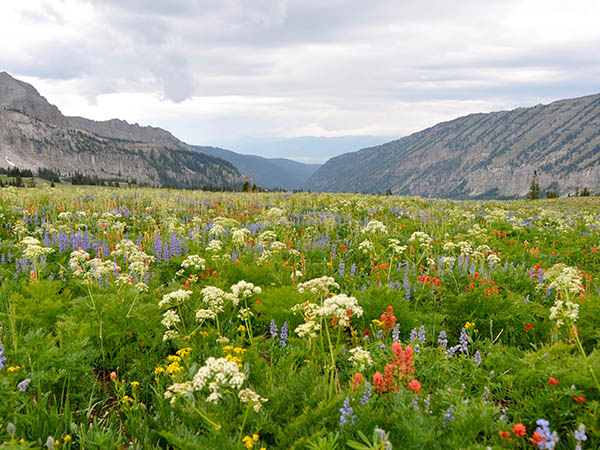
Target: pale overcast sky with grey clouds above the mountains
{"x":235,"y":73}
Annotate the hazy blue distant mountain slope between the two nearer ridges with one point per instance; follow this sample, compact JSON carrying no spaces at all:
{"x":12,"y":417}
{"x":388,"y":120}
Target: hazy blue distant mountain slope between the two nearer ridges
{"x":266,"y":172}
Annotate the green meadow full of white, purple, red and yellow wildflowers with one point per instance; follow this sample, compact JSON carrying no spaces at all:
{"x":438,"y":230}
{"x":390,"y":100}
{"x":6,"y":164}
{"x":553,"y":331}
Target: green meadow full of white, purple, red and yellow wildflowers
{"x":159,"y":319}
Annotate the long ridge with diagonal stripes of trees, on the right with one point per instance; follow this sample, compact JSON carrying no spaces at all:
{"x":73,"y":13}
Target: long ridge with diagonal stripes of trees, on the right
{"x":489,"y":155}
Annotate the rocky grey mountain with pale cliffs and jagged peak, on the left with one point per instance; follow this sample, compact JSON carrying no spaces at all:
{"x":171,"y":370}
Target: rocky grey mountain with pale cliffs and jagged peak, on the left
{"x":35,"y":134}
